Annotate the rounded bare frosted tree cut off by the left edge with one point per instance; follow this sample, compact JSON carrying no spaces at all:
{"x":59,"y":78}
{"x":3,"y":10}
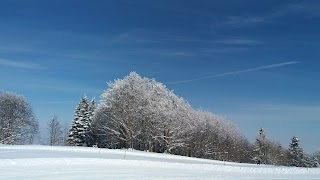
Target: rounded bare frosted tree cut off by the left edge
{"x":17,"y":122}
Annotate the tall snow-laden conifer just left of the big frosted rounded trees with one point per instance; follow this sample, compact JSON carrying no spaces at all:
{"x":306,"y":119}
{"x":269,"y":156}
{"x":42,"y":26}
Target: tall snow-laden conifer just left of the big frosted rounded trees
{"x":79,"y":132}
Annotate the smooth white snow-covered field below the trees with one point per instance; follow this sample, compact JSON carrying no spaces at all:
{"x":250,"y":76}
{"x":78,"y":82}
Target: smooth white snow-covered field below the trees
{"x":44,"y":162}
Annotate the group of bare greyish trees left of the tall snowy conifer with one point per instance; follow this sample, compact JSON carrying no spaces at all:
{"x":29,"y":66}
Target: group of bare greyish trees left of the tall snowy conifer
{"x":18,"y":124}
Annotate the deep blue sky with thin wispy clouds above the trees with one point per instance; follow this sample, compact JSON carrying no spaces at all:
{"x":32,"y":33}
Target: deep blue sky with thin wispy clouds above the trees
{"x":254,"y":62}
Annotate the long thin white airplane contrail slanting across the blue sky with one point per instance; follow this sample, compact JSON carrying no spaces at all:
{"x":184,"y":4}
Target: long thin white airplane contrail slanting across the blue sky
{"x":239,"y":72}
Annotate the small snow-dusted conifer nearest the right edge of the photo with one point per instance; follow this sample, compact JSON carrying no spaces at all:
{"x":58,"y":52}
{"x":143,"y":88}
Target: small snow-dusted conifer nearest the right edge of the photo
{"x":296,"y":156}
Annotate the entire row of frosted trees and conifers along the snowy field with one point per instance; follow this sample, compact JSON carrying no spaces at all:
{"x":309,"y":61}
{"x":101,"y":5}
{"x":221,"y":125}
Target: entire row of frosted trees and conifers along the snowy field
{"x":142,"y":114}
